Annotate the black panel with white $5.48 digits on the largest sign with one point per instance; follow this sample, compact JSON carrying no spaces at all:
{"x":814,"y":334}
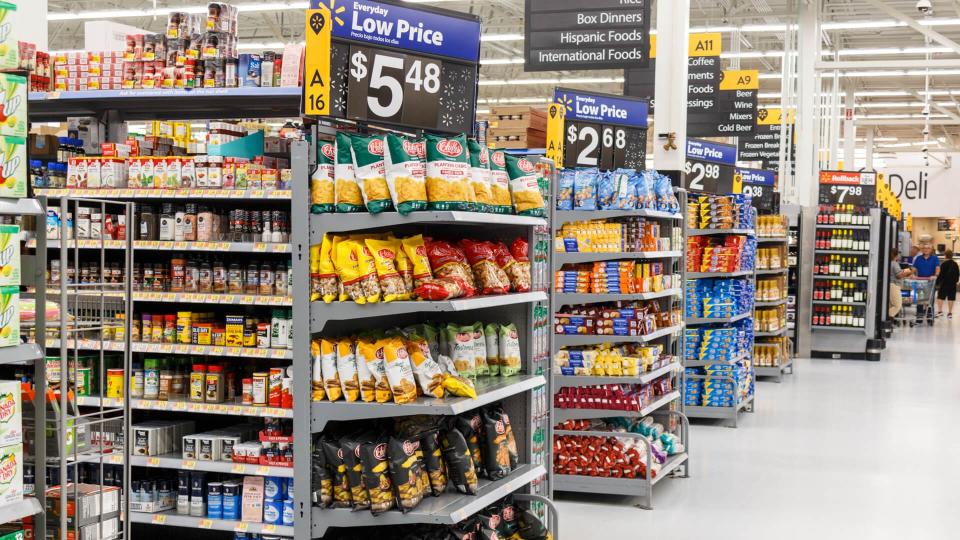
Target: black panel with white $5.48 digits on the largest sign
{"x":393,"y":87}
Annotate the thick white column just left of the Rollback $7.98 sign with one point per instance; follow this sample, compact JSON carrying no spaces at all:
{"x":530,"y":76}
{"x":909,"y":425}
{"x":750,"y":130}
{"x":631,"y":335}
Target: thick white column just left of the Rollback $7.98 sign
{"x":807,"y":128}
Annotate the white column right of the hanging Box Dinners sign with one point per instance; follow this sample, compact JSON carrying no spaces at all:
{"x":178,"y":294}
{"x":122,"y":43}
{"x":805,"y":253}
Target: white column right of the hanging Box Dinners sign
{"x":670,"y":116}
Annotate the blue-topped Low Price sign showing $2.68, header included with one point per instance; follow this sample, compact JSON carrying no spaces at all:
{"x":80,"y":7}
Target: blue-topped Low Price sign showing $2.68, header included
{"x":602,"y":130}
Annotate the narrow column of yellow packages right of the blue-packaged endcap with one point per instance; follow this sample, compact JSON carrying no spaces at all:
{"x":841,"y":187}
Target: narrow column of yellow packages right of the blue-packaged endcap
{"x":772,"y":350}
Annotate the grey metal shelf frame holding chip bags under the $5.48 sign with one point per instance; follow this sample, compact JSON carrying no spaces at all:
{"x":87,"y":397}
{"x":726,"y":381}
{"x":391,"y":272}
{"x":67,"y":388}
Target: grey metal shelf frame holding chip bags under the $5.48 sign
{"x":523,"y":396}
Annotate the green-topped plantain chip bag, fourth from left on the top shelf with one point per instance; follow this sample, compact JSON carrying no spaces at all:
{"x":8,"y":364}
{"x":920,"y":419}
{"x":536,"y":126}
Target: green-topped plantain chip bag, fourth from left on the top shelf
{"x":406,"y":174}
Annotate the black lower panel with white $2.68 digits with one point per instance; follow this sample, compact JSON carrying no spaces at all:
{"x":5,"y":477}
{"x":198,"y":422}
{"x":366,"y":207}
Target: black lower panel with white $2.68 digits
{"x":606,"y":147}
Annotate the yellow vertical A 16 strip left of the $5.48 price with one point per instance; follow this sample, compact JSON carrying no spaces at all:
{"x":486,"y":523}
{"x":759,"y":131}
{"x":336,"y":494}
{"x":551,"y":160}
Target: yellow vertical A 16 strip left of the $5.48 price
{"x":316,"y":87}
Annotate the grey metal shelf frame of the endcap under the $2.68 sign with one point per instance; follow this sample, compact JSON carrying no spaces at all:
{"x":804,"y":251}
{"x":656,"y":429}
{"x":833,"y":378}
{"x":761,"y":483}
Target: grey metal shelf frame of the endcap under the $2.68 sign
{"x":668,"y":404}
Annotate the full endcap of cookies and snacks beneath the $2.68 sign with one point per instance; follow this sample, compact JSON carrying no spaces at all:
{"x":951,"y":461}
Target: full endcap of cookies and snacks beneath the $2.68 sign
{"x":618,"y":265}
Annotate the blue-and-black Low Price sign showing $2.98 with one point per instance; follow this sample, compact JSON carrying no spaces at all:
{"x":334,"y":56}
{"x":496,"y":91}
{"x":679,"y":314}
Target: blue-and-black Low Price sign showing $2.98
{"x":711,"y":167}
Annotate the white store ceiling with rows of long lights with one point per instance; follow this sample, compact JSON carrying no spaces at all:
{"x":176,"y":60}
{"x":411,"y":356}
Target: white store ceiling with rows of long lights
{"x":855,"y":29}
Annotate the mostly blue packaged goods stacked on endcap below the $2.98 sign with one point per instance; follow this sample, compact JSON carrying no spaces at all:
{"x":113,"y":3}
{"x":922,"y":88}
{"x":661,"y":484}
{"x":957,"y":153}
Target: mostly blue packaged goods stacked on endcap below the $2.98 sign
{"x":720,"y":295}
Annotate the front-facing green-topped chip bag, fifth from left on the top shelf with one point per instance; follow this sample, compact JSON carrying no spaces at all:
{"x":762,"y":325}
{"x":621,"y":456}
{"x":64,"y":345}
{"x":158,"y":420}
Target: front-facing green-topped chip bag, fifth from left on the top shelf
{"x":448,"y":173}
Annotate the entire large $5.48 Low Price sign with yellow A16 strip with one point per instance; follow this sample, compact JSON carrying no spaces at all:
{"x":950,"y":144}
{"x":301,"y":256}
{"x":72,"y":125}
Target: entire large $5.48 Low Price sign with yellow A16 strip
{"x":394,"y":65}
